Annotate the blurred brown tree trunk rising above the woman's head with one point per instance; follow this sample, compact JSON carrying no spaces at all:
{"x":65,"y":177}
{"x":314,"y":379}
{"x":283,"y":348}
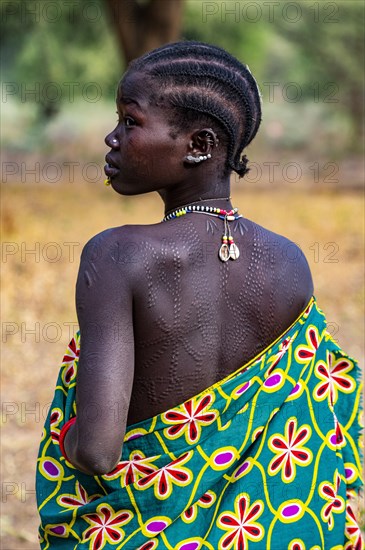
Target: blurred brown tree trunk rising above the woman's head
{"x":141,"y":27}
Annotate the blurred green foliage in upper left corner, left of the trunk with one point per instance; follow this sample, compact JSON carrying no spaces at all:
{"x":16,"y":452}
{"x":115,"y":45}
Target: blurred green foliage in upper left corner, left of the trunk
{"x":61,"y":43}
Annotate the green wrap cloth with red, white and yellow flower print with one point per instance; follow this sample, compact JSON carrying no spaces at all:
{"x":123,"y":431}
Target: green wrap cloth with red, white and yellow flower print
{"x":266,"y":458}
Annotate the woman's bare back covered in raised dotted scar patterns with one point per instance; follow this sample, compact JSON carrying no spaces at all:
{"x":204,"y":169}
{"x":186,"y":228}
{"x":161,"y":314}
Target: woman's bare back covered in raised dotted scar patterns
{"x":197,"y":319}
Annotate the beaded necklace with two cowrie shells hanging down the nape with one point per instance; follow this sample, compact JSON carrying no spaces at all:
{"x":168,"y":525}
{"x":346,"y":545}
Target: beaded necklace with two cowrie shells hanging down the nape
{"x":228,"y":249}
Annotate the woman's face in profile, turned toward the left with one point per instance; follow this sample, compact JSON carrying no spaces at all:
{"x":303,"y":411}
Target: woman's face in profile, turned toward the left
{"x":145,"y":154}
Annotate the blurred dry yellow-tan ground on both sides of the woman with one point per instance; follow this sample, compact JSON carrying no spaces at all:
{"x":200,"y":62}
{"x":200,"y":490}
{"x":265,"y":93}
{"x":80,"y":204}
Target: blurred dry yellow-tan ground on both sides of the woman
{"x":38,"y":296}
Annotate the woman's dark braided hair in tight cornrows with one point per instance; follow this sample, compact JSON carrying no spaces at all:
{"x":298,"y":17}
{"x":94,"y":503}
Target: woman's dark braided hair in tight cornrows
{"x":204,"y":82}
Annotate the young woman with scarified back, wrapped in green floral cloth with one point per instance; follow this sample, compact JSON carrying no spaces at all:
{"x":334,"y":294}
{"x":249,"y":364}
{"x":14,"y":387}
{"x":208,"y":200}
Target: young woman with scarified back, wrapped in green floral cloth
{"x":211,"y":409}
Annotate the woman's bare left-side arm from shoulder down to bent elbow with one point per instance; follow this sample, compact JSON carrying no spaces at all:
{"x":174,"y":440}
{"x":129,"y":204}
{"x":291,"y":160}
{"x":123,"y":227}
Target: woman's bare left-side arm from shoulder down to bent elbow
{"x":106,"y":364}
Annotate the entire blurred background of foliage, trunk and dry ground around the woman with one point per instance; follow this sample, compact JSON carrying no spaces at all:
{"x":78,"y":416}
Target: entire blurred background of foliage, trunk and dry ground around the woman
{"x":61,"y":62}
